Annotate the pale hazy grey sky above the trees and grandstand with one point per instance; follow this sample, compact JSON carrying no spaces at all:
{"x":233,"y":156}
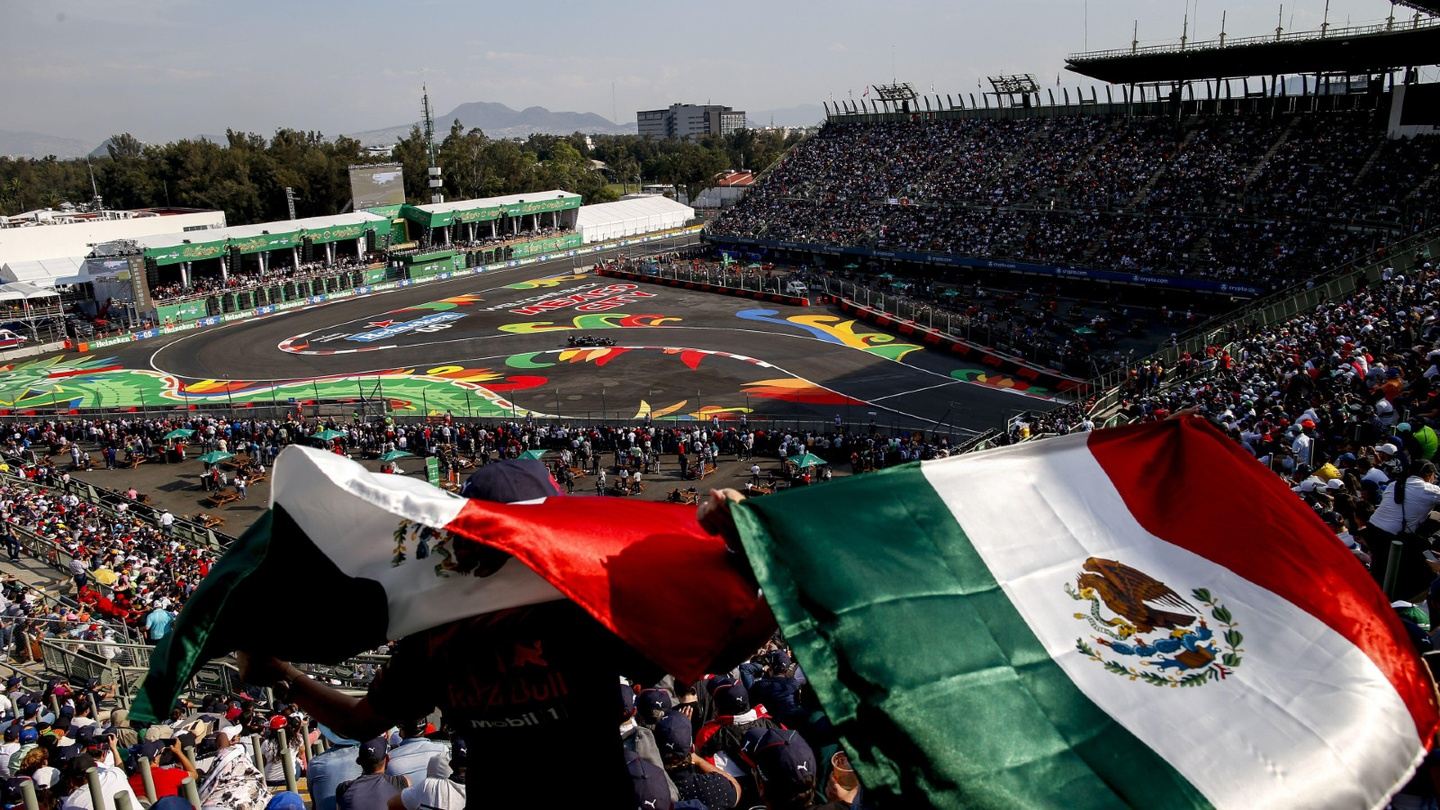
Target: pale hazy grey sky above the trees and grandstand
{"x":175,"y":68}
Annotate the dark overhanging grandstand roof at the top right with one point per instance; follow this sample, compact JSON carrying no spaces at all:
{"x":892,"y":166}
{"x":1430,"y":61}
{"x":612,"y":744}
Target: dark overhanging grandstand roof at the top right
{"x":1363,"y":50}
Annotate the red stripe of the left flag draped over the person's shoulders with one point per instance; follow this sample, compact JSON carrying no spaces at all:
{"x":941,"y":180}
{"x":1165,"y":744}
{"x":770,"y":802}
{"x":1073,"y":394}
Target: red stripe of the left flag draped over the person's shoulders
{"x":644,"y":570}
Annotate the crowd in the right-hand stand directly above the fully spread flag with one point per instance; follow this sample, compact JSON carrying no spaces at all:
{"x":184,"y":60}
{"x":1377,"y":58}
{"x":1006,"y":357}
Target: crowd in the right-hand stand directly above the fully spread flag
{"x":1343,"y":403}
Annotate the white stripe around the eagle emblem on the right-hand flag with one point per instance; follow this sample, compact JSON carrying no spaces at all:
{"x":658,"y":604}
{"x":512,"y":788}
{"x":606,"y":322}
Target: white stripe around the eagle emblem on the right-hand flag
{"x":1305,"y":721}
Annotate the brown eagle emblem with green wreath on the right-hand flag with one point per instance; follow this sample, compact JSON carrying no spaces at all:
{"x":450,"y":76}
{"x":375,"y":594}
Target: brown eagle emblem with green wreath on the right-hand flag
{"x":1146,"y":631}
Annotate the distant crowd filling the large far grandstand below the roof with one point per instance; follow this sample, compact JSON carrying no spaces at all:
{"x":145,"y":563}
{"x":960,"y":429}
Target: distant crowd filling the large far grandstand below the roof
{"x":1265,"y":201}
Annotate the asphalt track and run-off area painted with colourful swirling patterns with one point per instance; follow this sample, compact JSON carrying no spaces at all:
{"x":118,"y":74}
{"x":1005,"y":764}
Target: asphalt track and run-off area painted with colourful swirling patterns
{"x":506,"y":351}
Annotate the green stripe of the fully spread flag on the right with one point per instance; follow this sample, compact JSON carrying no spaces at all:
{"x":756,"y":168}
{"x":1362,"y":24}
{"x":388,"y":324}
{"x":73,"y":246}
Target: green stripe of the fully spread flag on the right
{"x":934,"y":681}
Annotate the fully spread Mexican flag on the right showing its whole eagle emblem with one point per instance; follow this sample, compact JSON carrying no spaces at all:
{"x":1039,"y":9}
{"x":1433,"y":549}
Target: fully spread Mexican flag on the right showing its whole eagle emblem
{"x":1133,"y":618}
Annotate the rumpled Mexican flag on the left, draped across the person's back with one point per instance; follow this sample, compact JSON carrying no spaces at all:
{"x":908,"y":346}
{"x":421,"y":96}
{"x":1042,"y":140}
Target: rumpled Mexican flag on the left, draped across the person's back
{"x":348,"y":560}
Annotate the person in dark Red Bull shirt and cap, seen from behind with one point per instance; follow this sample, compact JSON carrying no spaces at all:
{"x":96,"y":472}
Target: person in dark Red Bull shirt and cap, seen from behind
{"x":513,"y":684}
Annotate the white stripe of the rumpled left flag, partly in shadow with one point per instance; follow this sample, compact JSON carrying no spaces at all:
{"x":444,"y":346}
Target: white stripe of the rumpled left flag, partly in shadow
{"x":351,"y":515}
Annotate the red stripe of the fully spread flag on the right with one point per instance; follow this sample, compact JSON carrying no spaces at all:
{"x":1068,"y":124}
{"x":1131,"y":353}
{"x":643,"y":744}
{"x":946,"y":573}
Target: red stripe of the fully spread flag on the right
{"x":1189,"y":485}
